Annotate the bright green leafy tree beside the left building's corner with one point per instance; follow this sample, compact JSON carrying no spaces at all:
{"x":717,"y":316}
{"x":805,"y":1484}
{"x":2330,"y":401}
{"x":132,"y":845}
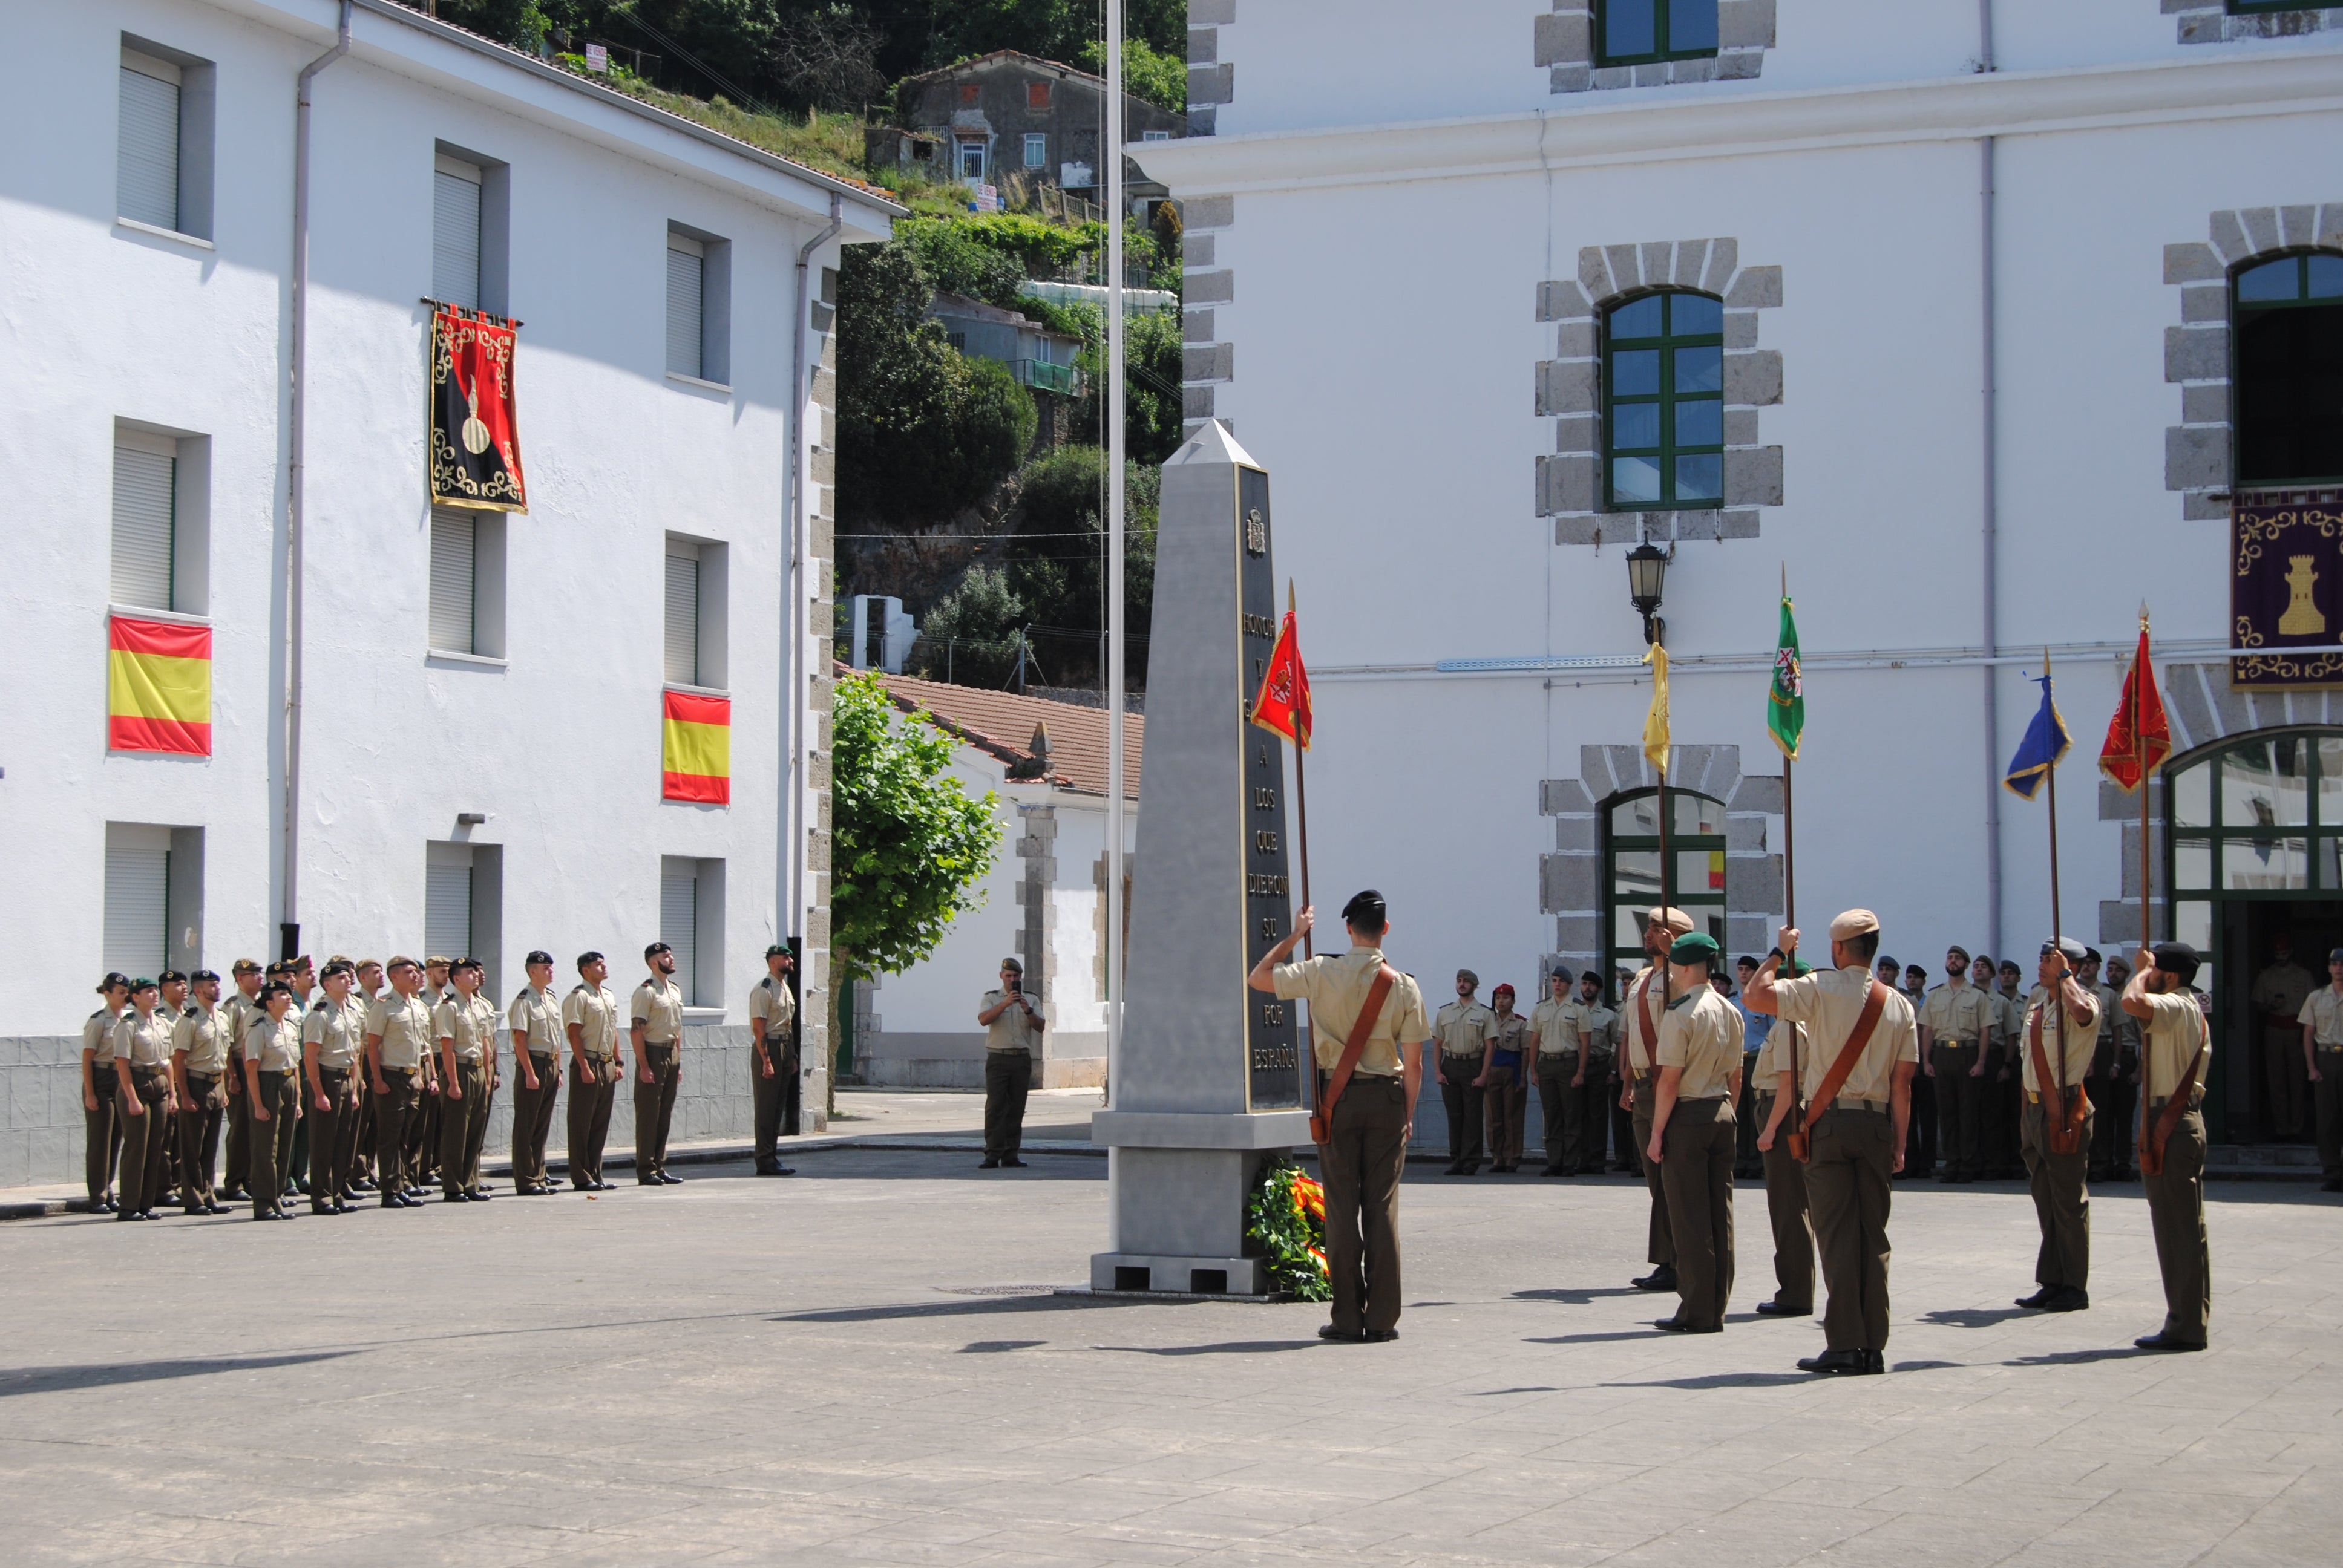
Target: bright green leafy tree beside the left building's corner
{"x":908,"y":840}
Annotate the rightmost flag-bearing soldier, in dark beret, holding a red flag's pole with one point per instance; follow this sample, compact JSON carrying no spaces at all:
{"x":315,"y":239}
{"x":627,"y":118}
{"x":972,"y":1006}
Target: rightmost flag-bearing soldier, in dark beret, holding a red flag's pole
{"x":2173,"y":1061}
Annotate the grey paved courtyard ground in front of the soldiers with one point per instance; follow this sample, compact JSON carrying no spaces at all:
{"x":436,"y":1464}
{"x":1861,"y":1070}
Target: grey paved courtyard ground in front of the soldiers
{"x":863,"y":1365}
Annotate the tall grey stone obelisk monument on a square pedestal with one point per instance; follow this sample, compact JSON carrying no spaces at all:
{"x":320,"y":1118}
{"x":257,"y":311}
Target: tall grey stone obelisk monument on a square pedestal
{"x":1210,"y":1084}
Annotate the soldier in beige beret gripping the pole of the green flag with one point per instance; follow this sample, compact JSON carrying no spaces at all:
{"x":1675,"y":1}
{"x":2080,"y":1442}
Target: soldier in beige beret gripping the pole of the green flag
{"x":1859,"y":1061}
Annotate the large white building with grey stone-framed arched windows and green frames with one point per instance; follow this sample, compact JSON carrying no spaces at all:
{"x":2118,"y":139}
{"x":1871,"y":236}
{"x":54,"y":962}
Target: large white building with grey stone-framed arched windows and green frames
{"x":1953,"y":304}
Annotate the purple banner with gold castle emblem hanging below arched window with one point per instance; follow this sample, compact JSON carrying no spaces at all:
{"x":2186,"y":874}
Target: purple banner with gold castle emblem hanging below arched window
{"x":2286,"y":592}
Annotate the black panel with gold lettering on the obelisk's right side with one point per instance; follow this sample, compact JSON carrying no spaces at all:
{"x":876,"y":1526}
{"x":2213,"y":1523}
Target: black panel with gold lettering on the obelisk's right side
{"x":1271,"y":1025}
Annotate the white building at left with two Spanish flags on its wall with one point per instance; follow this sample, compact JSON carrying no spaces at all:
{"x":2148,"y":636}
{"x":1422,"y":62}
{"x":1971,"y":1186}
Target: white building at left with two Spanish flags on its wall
{"x":430,"y":730}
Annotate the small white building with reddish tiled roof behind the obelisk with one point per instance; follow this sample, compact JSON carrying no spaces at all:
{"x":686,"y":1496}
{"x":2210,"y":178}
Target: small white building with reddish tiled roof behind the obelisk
{"x":1041,"y":901}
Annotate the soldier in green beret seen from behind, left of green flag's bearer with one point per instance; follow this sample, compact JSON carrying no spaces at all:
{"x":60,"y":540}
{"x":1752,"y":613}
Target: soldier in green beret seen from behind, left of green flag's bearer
{"x":1693,"y":1133}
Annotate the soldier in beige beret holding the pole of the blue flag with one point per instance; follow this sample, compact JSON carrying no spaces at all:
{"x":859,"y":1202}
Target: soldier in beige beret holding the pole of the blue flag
{"x":2061,"y":1182}
